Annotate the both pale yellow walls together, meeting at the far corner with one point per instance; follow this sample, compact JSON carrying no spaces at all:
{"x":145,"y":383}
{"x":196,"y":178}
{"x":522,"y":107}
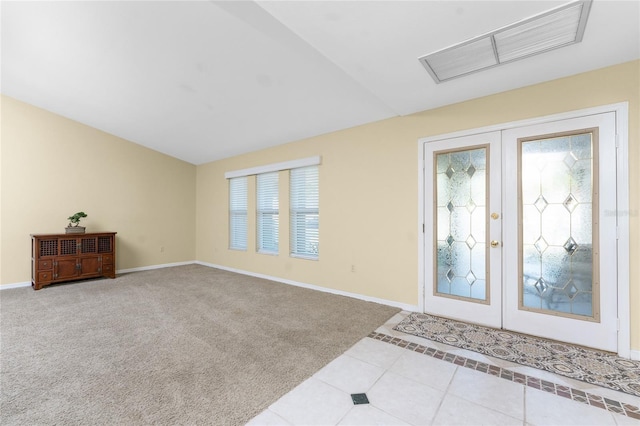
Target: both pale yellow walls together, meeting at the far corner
{"x":51,"y":167}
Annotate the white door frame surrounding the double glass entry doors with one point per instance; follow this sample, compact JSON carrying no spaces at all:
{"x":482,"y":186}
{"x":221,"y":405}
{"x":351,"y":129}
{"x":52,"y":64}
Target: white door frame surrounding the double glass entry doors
{"x":621,"y":111}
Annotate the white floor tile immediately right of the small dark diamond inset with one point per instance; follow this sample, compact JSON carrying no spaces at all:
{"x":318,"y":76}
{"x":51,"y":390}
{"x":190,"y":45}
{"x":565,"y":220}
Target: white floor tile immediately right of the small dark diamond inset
{"x":405,"y":399}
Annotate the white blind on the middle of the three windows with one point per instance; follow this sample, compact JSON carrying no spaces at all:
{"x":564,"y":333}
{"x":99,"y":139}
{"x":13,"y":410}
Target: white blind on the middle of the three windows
{"x":267,"y":212}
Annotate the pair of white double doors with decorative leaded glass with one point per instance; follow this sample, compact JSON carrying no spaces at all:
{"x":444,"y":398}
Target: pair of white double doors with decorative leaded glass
{"x":520,"y":230}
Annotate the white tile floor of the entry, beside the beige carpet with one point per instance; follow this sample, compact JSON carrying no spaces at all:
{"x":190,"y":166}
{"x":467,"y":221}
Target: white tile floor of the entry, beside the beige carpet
{"x":405,"y":387}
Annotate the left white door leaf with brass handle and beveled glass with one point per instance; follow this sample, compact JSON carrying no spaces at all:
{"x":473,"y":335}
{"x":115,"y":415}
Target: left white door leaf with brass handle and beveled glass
{"x":463,"y":190}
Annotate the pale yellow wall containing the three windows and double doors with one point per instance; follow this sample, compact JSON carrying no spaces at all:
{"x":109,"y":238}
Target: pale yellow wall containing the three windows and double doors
{"x":369,"y":189}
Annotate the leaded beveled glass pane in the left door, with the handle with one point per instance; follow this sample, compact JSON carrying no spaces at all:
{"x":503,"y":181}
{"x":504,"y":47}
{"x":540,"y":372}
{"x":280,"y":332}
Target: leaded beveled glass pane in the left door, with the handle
{"x":461,"y":221}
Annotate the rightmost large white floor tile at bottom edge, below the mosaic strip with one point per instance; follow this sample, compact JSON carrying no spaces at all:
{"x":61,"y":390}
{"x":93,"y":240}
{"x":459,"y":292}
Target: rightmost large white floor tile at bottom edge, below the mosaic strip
{"x":543,"y":408}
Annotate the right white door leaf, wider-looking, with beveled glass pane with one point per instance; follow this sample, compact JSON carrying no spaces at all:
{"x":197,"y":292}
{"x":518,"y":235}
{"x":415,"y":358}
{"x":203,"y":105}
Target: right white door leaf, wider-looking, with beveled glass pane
{"x":560,"y":227}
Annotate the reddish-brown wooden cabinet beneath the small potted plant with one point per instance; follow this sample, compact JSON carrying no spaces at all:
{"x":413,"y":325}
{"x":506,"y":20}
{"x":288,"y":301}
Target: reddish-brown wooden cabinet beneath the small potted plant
{"x":65,"y":257}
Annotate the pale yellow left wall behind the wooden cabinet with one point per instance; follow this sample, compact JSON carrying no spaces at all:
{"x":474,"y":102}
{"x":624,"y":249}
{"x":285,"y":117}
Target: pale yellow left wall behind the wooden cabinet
{"x":52,"y":167}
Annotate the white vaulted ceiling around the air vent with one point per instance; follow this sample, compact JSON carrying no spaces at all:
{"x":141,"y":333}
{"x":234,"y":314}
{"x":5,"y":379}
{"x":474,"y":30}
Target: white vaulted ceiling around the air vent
{"x":207,"y":80}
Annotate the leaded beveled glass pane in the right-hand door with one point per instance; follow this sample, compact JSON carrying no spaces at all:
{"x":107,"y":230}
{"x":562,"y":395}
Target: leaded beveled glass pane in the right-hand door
{"x":556,"y":188}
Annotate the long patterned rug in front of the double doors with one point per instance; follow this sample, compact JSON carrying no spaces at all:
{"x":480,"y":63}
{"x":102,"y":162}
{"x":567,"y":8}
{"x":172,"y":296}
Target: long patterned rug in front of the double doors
{"x":587,"y":365}
